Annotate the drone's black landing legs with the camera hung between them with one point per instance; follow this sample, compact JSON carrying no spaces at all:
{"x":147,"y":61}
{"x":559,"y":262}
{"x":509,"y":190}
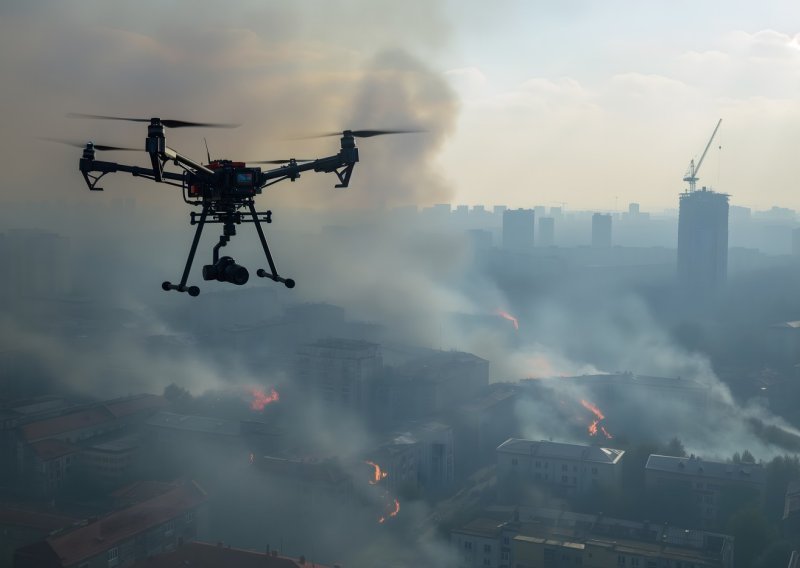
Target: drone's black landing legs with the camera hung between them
{"x":225,"y":269}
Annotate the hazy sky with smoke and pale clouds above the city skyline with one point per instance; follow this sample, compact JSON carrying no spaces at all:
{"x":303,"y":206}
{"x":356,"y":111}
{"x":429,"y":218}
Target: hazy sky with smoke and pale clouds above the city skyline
{"x":587,"y":104}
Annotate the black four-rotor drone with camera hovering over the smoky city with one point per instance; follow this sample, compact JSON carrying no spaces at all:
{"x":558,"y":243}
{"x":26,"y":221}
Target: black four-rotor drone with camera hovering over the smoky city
{"x":225,"y":190}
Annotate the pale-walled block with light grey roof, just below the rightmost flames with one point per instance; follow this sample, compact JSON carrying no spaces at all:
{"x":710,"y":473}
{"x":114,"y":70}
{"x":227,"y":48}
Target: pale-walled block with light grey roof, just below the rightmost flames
{"x":573,"y":467}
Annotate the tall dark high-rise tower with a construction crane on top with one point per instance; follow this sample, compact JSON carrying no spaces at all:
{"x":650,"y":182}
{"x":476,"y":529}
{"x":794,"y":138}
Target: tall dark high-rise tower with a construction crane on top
{"x":702,"y":240}
